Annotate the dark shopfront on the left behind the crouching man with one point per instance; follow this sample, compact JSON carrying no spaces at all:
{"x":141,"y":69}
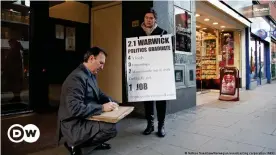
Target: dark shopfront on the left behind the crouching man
{"x":27,"y":73}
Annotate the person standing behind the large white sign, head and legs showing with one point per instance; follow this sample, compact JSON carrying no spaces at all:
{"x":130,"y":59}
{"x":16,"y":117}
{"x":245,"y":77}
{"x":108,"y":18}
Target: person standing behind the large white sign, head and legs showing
{"x":147,"y":28}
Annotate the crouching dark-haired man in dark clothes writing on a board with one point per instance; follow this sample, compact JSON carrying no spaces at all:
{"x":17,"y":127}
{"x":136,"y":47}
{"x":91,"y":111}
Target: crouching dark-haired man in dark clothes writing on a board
{"x":80,"y":99}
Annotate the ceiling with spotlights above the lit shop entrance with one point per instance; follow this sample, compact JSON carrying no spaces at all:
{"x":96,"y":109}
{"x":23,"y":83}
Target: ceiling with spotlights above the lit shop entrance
{"x":217,"y":19}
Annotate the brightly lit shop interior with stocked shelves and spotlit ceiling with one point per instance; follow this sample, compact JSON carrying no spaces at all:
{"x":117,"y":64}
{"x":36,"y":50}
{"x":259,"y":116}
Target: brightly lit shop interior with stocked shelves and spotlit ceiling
{"x":218,"y":39}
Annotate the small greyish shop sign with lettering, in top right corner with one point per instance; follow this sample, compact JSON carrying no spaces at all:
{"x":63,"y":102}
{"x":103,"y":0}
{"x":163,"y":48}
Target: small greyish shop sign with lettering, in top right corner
{"x":259,"y":10}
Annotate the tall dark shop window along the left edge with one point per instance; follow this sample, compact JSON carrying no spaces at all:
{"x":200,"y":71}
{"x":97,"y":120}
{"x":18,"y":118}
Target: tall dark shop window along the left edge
{"x":14,"y":56}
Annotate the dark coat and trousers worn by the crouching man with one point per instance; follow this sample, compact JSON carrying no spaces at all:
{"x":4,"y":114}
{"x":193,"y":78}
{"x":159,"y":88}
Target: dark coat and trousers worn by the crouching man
{"x":80,"y":98}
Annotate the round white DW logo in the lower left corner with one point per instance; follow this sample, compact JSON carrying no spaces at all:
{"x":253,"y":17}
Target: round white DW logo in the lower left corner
{"x":29,"y":133}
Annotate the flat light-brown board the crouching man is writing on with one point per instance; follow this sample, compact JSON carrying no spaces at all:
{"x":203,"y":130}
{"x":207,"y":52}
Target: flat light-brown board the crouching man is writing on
{"x":113,"y":116}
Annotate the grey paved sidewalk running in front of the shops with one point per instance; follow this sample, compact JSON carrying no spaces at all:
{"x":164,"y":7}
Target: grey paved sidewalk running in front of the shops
{"x":213,"y":126}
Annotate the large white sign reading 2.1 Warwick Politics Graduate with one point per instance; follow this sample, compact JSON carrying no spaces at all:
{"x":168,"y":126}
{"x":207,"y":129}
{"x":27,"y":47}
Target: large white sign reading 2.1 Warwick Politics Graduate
{"x":150,"y":69}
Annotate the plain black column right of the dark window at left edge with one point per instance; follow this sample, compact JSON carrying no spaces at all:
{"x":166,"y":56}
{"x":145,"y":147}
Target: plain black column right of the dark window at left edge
{"x":39,"y":21}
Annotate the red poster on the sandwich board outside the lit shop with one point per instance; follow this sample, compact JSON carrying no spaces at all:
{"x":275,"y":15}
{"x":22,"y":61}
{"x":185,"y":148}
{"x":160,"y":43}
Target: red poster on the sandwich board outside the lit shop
{"x":228,"y":81}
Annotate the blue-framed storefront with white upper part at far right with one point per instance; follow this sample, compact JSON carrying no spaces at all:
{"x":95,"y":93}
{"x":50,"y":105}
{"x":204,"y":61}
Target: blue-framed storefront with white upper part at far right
{"x":259,"y":54}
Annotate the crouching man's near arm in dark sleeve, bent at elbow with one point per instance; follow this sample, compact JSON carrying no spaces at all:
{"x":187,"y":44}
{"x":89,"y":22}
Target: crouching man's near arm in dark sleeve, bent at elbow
{"x":75,"y":94}
